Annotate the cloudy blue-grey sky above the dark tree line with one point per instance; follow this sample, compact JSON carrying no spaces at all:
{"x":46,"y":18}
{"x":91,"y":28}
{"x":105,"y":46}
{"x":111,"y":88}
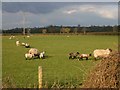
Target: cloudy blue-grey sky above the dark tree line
{"x":42,"y":14}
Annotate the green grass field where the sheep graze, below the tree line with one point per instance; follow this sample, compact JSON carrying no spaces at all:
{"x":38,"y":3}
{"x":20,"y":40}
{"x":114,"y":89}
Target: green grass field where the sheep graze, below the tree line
{"x":57,"y":68}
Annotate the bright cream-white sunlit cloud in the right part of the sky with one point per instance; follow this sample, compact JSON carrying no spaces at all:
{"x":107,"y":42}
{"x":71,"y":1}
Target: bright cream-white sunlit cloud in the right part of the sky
{"x":104,"y":11}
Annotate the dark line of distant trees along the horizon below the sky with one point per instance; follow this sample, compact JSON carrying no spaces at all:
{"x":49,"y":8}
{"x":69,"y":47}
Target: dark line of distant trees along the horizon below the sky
{"x":62,"y":29}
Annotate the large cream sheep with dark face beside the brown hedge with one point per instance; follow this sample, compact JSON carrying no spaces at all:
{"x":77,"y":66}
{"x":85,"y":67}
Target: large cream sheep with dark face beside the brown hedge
{"x":101,"y":53}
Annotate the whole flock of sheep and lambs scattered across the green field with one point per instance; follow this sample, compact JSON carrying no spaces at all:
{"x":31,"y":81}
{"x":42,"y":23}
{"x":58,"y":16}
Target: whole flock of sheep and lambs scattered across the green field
{"x":33,"y":53}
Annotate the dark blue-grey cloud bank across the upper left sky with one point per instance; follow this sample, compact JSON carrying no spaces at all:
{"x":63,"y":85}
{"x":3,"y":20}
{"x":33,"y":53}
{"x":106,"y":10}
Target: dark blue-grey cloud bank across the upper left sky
{"x":39,"y":7}
